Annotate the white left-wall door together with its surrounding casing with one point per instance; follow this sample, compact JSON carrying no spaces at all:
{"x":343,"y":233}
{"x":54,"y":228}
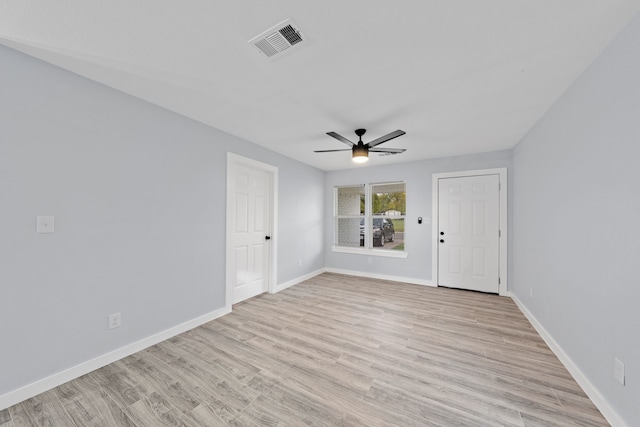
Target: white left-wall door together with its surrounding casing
{"x":250,"y":228}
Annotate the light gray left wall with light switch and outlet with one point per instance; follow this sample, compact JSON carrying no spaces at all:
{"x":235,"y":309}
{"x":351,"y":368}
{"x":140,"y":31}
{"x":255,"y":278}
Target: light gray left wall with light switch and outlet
{"x":138,"y":195}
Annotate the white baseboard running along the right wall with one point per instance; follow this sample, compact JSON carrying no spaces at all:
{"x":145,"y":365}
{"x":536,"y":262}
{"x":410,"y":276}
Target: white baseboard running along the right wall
{"x":601,"y":403}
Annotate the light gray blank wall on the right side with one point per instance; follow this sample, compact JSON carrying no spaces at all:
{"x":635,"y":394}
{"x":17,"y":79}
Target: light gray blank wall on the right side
{"x":576,"y":222}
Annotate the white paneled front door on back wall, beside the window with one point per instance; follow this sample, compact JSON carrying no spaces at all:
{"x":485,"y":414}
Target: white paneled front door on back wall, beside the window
{"x":468,"y":232}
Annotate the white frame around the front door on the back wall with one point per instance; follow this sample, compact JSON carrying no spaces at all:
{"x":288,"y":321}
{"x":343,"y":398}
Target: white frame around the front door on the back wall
{"x":502,"y":241}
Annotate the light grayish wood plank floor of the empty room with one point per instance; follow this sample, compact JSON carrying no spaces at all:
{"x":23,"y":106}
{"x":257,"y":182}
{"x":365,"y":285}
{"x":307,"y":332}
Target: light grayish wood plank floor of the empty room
{"x":333,"y":351}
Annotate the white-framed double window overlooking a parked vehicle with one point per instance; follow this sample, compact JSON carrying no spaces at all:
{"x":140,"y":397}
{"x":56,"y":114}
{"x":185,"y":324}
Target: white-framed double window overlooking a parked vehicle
{"x":371,"y":217}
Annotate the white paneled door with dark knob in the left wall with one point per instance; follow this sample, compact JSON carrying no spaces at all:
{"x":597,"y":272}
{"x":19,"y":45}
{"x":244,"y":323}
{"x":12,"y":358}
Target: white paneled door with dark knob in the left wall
{"x":250,"y":206}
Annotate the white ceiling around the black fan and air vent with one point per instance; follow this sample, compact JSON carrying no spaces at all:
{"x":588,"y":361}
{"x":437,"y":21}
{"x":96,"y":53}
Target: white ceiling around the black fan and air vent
{"x":459,"y":76}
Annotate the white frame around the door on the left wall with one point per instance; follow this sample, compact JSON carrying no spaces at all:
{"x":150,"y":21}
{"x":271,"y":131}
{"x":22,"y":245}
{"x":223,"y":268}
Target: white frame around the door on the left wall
{"x":234,"y":160}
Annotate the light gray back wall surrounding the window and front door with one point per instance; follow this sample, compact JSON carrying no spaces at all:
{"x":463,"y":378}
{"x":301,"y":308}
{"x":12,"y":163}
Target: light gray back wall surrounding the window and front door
{"x":417,"y":175}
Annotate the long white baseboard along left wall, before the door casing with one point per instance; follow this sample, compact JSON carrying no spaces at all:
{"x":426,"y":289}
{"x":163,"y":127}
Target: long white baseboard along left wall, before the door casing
{"x":30,"y":390}
